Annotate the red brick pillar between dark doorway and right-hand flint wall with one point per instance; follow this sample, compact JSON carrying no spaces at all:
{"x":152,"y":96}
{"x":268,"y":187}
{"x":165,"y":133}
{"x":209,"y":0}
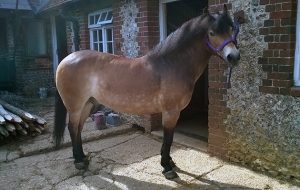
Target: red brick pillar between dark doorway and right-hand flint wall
{"x":217,"y":109}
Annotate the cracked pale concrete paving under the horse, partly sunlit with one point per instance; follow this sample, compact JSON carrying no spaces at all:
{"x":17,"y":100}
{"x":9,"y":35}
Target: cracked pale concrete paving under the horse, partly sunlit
{"x":129,"y":160}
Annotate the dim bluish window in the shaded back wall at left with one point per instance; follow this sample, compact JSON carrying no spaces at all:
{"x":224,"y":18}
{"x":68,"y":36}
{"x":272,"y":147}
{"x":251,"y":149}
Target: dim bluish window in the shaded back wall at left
{"x":36,"y":38}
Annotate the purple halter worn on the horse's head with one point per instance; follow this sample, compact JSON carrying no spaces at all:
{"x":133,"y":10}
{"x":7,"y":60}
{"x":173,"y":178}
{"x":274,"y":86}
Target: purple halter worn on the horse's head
{"x":233,"y":39}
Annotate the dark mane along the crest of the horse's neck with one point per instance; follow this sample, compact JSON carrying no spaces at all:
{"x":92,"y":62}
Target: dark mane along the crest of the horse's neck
{"x":180,"y":37}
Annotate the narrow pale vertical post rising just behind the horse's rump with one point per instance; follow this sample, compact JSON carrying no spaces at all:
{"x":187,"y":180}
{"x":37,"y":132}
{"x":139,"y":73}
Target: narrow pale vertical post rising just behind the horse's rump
{"x":54,"y":43}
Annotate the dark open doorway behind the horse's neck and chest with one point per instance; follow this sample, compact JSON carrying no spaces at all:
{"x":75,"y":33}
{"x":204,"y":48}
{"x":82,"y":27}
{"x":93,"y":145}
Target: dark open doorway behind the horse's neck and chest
{"x":193,"y":119}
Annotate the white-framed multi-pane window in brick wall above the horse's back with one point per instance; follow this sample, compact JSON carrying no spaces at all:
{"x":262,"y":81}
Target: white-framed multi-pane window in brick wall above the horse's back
{"x":101,"y":32}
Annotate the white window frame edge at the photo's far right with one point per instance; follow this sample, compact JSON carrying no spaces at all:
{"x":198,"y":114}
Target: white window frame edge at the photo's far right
{"x":297,"y":51}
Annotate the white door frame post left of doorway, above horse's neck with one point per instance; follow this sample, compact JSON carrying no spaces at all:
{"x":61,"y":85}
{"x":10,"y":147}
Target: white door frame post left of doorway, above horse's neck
{"x":162,"y":18}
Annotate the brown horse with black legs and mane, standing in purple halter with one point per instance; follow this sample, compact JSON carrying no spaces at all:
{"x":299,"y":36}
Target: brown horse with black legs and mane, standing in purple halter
{"x":162,"y":81}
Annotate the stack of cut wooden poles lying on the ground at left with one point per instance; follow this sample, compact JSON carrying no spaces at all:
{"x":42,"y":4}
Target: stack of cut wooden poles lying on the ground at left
{"x":15,"y":121}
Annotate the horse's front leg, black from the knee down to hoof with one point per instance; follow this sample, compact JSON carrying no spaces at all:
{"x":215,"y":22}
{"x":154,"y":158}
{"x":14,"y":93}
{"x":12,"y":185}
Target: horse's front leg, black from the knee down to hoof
{"x":169,"y":123}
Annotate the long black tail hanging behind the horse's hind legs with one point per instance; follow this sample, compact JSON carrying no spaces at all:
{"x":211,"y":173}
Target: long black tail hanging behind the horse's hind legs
{"x":60,"y":120}
